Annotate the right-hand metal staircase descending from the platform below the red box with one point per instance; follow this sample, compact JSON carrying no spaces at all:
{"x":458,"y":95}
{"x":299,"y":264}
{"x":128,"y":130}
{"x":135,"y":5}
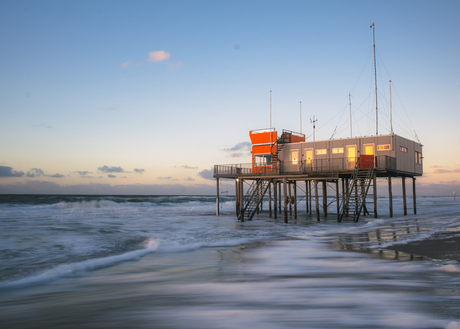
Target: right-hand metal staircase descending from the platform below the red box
{"x":357,"y":191}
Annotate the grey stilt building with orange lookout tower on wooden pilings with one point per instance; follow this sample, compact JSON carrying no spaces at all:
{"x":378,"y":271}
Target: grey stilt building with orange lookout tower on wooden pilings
{"x":350,"y":166}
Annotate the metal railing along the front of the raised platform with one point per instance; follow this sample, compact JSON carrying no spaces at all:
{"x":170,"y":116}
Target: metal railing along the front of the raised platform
{"x":316,"y":166}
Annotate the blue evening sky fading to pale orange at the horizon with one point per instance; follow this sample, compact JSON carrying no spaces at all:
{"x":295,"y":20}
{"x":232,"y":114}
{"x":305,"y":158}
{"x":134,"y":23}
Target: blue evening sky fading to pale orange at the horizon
{"x":145,"y":97}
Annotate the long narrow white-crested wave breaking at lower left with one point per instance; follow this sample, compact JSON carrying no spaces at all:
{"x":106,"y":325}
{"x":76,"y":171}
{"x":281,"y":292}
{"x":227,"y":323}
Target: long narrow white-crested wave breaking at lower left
{"x":65,"y":270}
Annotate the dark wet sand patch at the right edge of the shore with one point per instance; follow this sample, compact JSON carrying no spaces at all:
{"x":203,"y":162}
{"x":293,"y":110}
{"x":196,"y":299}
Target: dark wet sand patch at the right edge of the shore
{"x":445,"y":246}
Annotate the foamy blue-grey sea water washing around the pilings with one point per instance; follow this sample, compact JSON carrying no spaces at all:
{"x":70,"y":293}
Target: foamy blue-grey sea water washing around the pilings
{"x":169,"y":262}
